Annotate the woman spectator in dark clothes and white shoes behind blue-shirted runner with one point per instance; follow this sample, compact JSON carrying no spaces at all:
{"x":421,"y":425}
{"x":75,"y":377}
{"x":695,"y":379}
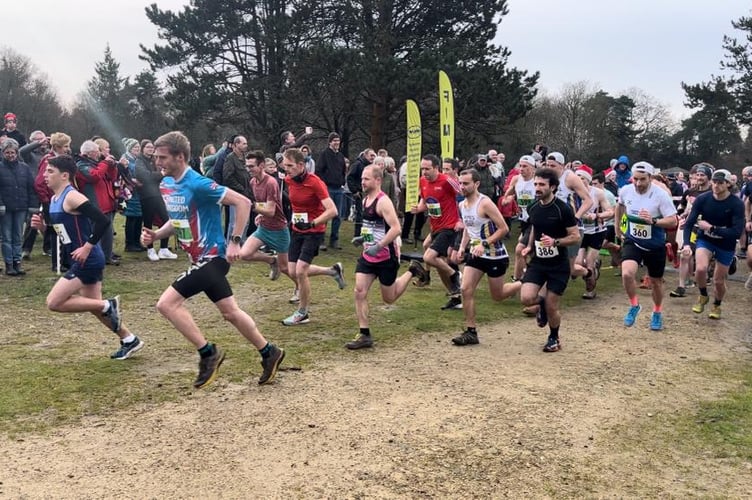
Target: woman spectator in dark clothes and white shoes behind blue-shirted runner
{"x":148,"y":178}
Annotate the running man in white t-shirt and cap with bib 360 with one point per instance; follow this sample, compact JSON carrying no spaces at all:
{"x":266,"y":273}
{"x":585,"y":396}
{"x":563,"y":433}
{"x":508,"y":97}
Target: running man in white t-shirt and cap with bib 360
{"x":650,"y":212}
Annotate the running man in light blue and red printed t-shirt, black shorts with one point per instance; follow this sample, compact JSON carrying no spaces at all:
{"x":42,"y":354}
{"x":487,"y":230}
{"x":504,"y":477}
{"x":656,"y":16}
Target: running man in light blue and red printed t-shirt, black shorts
{"x":193,"y":205}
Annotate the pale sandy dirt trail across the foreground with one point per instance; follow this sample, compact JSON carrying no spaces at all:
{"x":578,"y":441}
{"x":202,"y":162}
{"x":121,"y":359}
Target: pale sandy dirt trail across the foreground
{"x":422,"y":420}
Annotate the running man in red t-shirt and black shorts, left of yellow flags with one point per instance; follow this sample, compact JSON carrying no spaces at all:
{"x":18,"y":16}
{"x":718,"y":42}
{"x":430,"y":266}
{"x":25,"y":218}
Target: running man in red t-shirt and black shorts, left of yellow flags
{"x":312,"y":208}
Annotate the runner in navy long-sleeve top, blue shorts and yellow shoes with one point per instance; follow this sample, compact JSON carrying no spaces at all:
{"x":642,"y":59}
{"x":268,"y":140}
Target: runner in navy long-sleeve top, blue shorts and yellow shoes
{"x":719,"y":219}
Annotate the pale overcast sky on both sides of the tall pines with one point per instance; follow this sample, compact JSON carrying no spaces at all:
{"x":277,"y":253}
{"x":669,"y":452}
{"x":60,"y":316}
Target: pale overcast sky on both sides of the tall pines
{"x":650,"y":44}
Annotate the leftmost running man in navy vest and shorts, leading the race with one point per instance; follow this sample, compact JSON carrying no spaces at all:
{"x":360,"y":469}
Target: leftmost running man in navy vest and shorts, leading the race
{"x":79,"y":226}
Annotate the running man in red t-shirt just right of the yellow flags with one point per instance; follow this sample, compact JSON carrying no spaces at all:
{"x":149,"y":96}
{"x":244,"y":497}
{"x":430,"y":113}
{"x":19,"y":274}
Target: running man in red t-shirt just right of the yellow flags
{"x":438,"y":196}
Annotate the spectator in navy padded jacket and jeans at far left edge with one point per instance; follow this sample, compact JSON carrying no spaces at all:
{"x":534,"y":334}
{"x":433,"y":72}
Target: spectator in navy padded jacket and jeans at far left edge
{"x":17,"y":198}
